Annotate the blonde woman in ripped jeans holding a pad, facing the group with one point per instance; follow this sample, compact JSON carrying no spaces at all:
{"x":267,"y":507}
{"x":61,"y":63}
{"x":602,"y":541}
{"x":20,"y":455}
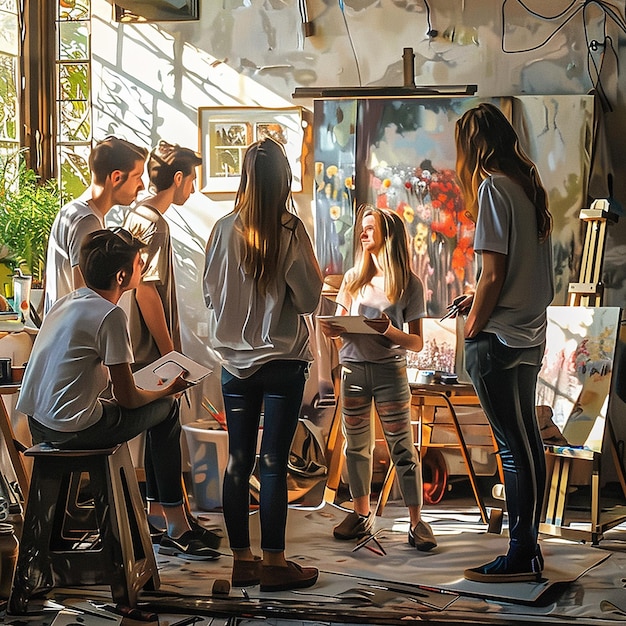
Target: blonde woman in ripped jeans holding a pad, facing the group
{"x":381,"y":287}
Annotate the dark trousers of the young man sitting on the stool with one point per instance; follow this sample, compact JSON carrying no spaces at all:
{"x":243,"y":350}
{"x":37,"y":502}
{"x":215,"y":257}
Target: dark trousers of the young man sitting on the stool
{"x":163,"y":457}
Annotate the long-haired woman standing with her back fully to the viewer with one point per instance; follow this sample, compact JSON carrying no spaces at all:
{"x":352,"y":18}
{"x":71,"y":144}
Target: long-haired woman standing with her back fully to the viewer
{"x":261,"y":277}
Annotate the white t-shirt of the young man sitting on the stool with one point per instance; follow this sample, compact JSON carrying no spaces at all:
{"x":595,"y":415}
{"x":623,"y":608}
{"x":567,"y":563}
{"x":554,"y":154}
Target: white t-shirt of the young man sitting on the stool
{"x":66,"y":372}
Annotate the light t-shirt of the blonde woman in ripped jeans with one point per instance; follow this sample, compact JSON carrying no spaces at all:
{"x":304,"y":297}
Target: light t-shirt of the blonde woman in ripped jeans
{"x":371,"y":301}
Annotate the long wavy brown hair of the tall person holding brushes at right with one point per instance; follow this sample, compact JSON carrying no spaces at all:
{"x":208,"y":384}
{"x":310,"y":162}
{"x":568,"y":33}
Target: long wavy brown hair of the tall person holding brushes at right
{"x":486,"y":143}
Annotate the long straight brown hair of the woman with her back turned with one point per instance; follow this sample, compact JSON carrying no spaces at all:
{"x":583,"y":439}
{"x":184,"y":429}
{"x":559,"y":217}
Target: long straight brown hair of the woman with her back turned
{"x":263,"y":199}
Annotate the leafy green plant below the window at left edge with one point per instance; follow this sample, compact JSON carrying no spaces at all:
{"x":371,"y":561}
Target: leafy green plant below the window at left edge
{"x":28,"y":207}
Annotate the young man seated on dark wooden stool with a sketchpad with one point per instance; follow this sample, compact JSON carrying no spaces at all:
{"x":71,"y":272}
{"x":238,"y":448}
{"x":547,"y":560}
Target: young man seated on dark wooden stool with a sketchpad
{"x":79,"y":393}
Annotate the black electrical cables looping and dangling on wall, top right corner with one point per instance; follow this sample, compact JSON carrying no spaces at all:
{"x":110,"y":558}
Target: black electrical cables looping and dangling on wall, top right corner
{"x":593,"y":46}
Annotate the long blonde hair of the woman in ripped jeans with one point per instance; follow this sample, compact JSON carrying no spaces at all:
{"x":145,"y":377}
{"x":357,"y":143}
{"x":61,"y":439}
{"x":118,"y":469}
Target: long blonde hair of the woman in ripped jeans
{"x":393,"y":256}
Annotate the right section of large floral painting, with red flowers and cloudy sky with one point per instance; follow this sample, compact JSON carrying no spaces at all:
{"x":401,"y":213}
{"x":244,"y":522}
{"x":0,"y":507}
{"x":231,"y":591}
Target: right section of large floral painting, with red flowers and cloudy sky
{"x":409,"y":168}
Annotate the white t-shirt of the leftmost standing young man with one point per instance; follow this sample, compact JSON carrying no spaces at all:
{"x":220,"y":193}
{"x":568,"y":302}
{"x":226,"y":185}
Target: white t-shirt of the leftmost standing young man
{"x":75,"y":220}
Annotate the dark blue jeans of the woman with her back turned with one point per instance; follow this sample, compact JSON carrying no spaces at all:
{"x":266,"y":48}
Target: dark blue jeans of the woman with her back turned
{"x":276,"y":389}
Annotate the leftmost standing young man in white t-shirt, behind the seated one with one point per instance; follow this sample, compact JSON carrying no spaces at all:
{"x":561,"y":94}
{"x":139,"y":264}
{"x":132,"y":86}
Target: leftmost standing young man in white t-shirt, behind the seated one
{"x":116,"y":168}
